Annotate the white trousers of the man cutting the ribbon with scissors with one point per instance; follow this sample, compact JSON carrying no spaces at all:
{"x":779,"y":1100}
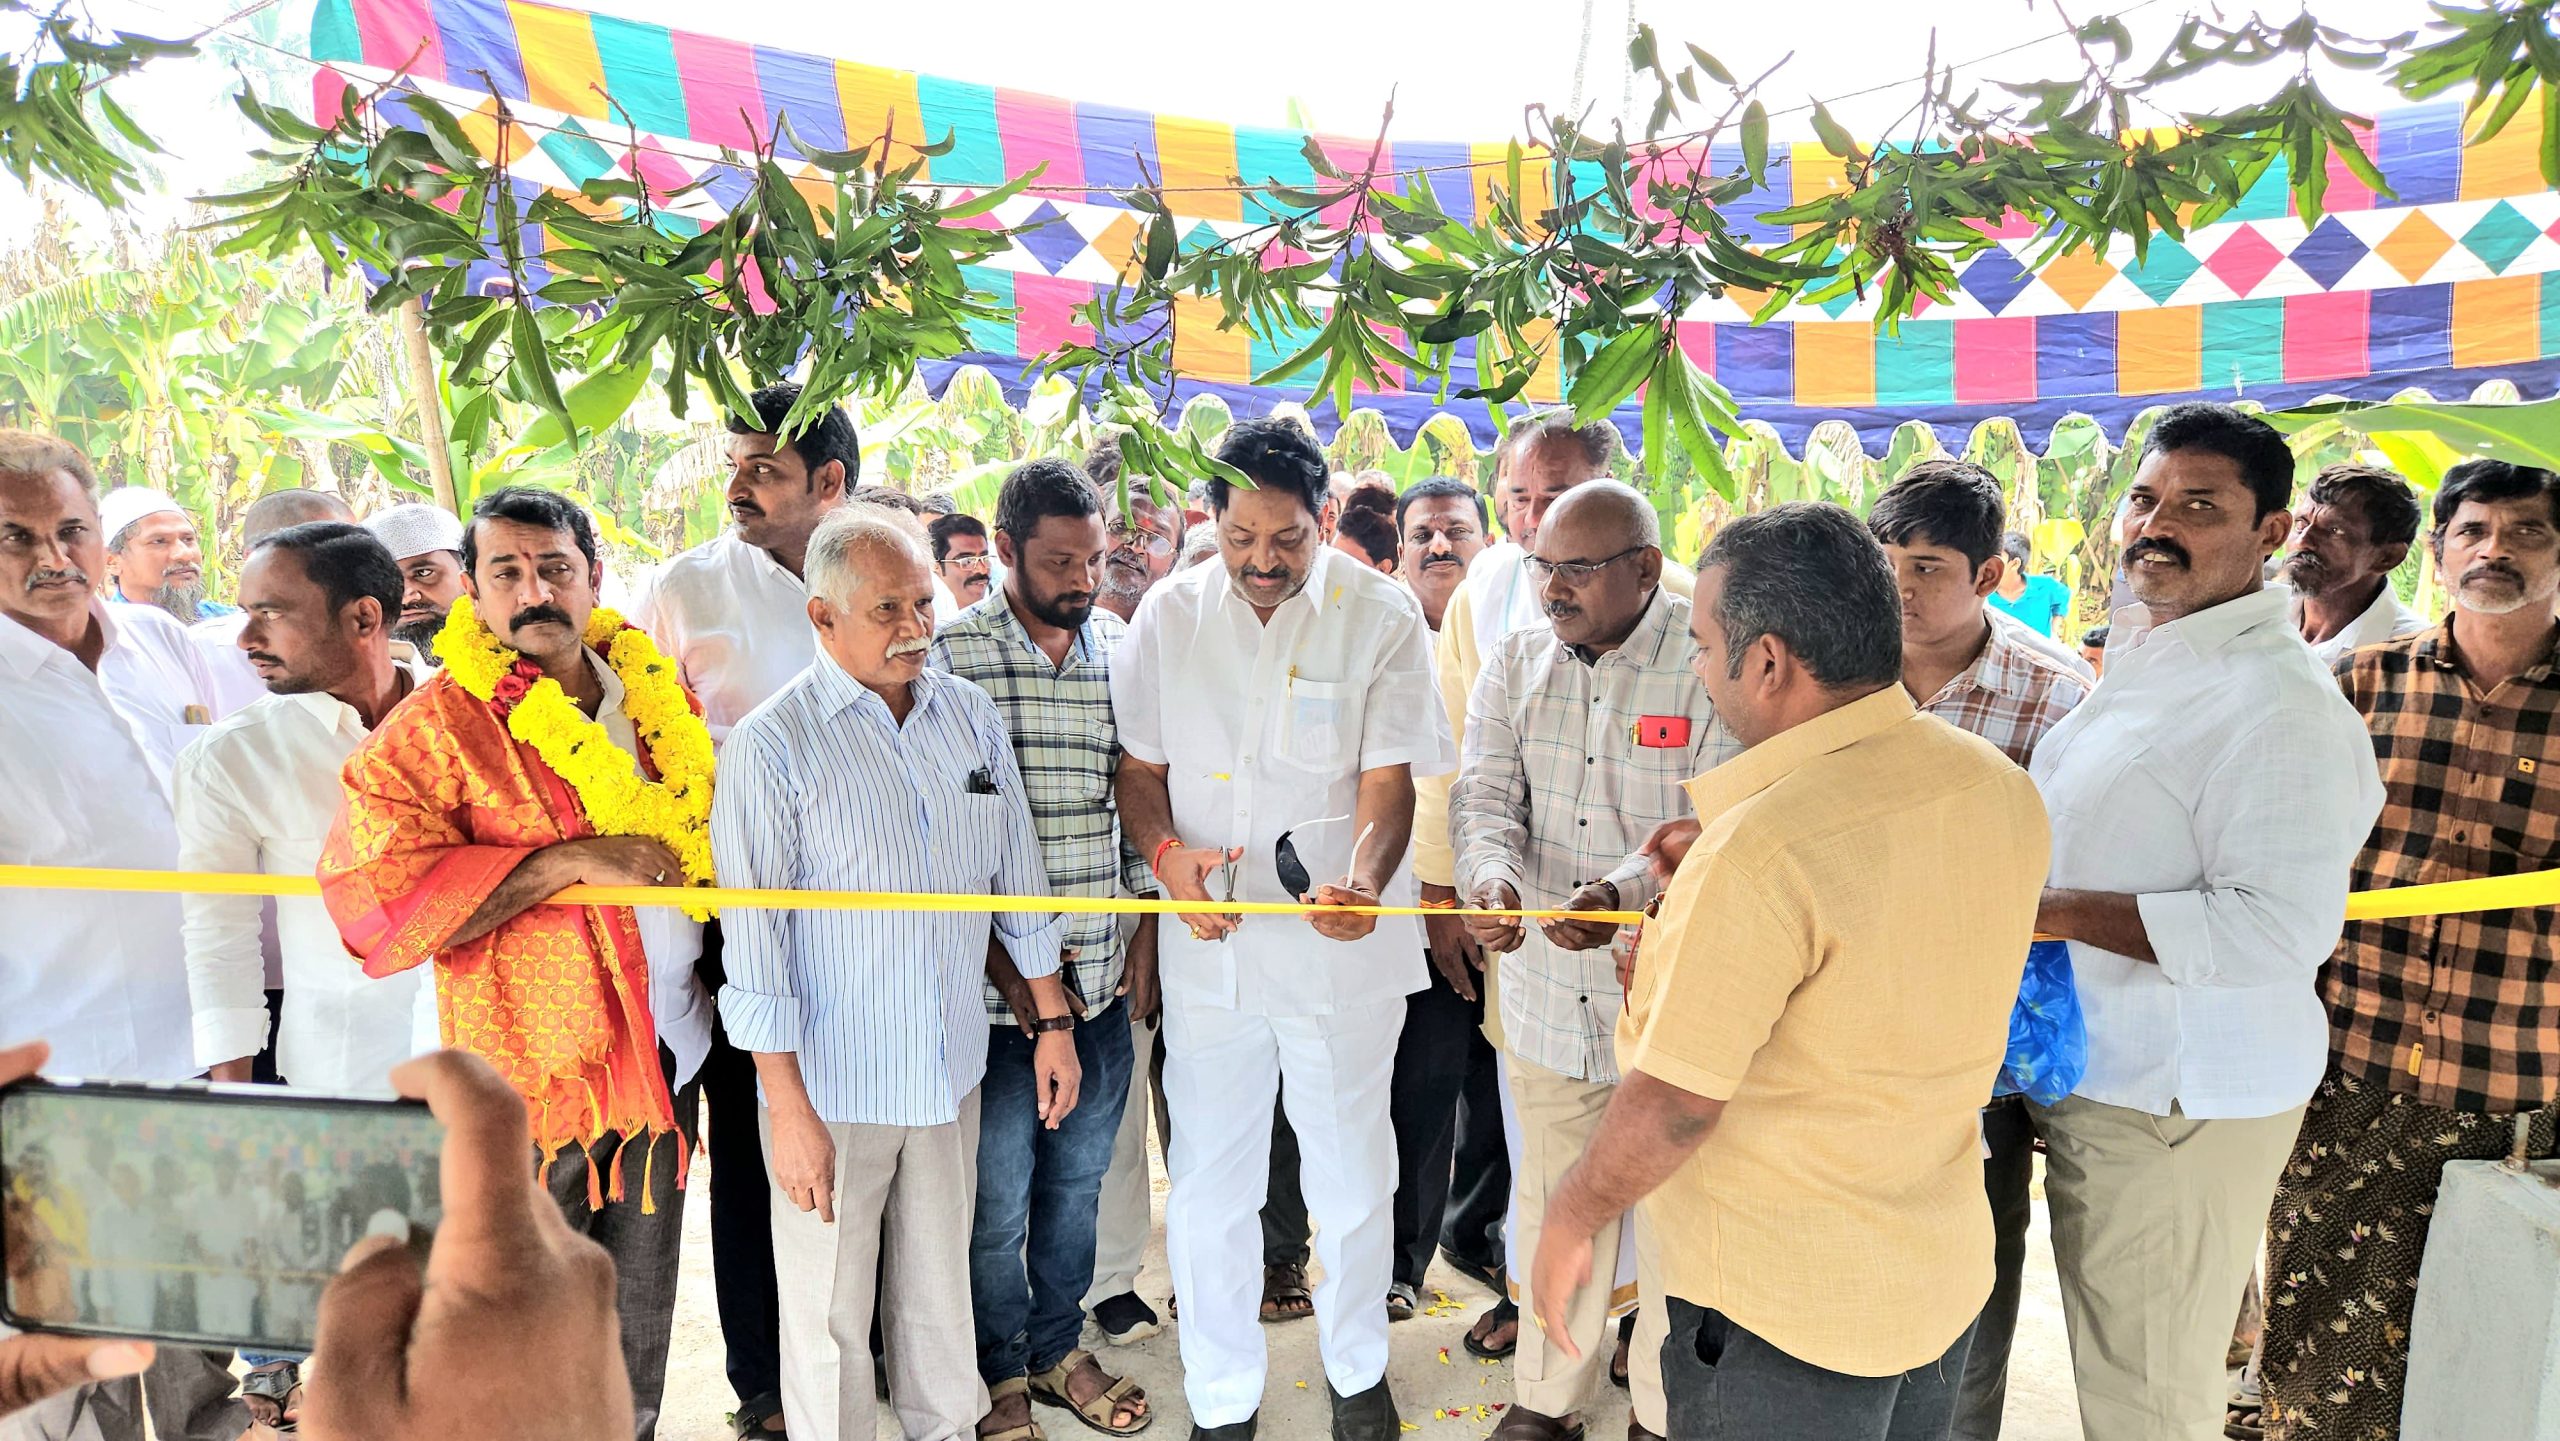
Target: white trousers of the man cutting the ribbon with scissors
{"x":1335,"y":1079}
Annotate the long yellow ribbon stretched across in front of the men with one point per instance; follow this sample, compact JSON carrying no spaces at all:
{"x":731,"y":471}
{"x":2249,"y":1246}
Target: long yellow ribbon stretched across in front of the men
{"x":2441,"y":900}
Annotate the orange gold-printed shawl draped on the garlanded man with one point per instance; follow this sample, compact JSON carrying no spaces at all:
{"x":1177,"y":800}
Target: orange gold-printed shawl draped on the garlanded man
{"x":439,"y":808}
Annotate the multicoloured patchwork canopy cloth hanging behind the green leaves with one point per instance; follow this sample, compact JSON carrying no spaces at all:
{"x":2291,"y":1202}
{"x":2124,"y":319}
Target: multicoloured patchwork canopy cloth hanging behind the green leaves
{"x":2444,"y":285}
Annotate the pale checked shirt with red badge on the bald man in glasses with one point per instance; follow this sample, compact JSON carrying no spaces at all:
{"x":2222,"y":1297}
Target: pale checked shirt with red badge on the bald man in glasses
{"x":1558,"y":790}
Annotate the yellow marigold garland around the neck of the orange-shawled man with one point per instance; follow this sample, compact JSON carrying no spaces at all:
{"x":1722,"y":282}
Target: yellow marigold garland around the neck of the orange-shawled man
{"x":672,"y":810}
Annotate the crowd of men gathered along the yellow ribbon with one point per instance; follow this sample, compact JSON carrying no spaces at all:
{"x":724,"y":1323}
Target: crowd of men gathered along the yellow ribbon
{"x":1742,"y":1158}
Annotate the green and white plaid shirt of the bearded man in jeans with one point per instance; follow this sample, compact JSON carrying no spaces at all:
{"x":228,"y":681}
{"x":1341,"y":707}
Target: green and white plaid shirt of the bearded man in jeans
{"x":1069,"y":751}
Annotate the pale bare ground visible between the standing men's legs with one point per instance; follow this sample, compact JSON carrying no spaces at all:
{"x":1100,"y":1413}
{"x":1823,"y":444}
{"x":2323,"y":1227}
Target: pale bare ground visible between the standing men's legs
{"x":1437,"y":1383}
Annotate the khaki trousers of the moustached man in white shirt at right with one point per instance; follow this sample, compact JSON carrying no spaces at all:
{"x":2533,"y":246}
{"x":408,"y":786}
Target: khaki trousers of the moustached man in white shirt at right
{"x":2157,"y":1225}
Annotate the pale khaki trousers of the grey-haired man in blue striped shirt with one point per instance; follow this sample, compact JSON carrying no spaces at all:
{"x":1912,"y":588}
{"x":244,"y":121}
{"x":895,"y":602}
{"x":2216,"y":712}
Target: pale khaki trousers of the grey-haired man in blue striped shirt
{"x":902,"y":1222}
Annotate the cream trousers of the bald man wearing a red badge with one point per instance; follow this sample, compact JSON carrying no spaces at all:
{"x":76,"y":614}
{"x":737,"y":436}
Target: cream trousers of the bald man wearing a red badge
{"x":1558,"y":1120}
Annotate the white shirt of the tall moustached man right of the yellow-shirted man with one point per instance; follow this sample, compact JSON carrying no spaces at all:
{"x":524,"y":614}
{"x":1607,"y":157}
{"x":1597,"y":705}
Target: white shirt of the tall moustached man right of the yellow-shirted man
{"x":2223,"y":779}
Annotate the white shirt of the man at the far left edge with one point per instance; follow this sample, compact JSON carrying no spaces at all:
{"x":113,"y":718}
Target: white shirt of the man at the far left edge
{"x":83,"y":782}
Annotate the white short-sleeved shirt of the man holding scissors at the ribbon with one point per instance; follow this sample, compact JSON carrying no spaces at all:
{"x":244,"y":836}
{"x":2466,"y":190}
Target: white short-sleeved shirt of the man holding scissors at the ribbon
{"x":1263,"y":731}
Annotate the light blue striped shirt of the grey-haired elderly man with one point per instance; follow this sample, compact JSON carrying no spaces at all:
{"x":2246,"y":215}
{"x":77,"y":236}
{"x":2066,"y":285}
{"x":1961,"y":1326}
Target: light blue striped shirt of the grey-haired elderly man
{"x":820,"y":790}
